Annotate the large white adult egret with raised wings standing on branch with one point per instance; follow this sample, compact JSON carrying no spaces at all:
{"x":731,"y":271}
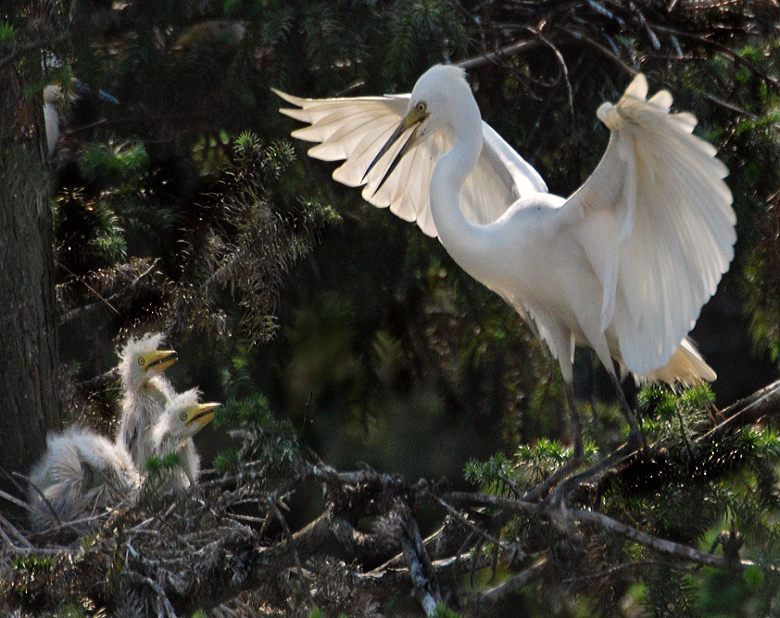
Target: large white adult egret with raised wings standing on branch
{"x":623,"y":265}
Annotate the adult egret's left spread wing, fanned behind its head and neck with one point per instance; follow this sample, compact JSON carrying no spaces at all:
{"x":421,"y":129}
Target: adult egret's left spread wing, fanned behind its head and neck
{"x":353,"y":130}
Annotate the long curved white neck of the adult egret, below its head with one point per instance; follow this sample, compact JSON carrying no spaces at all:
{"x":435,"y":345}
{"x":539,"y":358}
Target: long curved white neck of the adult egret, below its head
{"x":464,"y":240}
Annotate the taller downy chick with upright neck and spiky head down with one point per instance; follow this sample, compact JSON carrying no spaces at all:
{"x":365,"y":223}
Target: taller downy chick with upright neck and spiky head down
{"x":146,"y":393}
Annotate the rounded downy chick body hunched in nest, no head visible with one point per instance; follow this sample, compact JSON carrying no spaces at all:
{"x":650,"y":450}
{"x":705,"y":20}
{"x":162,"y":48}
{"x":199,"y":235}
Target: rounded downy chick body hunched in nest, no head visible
{"x":80,"y":474}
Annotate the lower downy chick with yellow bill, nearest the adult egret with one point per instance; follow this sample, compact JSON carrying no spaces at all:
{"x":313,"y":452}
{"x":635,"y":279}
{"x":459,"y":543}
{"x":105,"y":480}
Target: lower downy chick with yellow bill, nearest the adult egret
{"x":172,"y":433}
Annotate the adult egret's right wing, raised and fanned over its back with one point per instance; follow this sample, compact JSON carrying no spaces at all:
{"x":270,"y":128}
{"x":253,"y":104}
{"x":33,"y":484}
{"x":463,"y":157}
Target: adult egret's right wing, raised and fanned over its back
{"x":656,"y":222}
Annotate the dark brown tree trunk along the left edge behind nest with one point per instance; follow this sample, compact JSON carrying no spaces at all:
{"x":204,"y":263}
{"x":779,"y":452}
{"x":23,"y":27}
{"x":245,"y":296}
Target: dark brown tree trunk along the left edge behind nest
{"x":28,"y":343}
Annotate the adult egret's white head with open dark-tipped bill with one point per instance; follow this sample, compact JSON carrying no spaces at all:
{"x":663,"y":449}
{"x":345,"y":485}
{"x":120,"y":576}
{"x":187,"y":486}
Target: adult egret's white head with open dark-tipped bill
{"x":441,"y":98}
